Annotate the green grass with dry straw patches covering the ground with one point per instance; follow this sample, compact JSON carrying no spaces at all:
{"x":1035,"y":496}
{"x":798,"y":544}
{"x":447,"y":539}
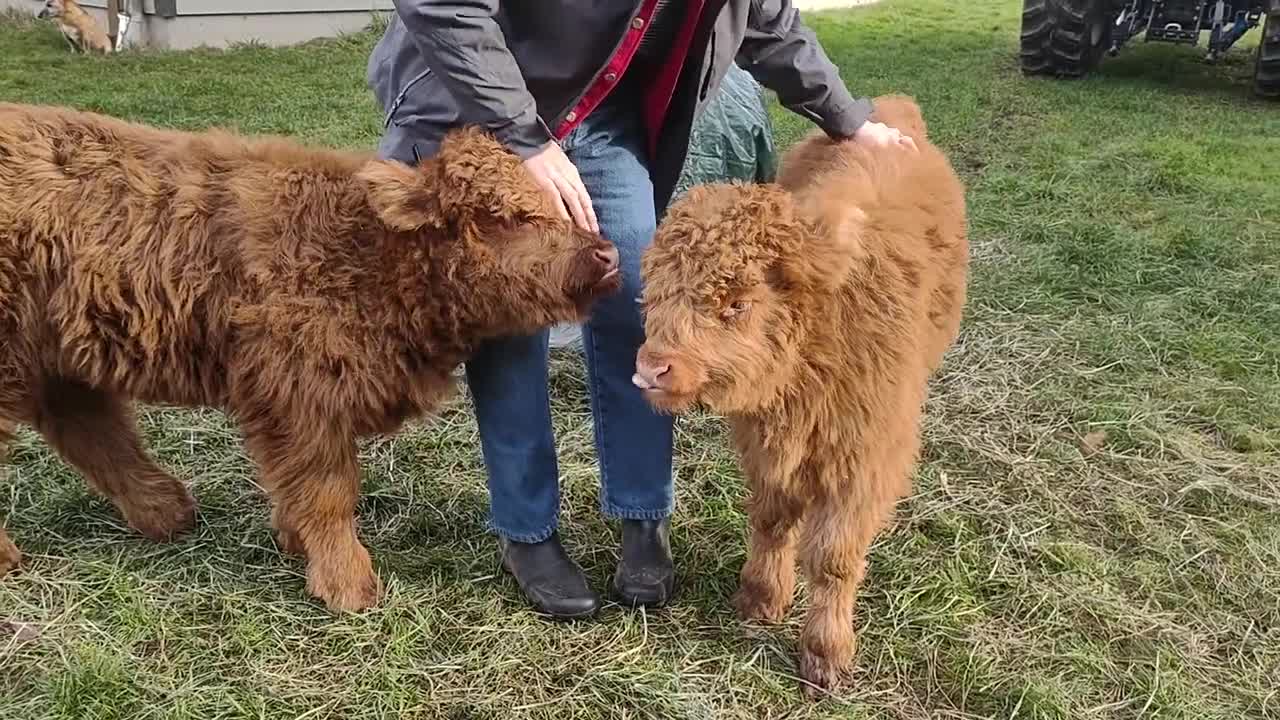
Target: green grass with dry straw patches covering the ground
{"x":1096,"y":526}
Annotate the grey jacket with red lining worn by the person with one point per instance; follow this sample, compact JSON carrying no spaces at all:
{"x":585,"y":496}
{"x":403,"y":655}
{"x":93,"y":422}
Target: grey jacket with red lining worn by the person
{"x":519,"y":69}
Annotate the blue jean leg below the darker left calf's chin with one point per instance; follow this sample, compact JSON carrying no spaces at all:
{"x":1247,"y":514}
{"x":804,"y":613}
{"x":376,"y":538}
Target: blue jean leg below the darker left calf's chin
{"x":508,"y":380}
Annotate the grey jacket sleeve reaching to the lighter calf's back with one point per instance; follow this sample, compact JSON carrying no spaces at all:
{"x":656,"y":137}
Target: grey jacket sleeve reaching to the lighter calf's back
{"x":785,"y":56}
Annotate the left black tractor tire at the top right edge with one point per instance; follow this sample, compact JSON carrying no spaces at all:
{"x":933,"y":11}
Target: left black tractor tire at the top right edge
{"x":1064,"y":38}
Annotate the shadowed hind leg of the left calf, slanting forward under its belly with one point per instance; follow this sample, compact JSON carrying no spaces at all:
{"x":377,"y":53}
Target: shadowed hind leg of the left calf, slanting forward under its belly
{"x":97,"y":434}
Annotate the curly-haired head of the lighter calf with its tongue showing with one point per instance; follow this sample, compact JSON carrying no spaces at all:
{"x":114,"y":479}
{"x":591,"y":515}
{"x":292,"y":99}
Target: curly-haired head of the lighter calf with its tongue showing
{"x":734,"y":281}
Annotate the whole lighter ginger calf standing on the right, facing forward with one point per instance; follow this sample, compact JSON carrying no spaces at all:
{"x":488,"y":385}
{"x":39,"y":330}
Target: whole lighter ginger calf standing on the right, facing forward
{"x":812,"y":316}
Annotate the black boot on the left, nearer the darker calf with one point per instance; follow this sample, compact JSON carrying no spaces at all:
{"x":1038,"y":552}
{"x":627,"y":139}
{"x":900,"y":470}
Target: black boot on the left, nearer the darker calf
{"x":554,"y":584}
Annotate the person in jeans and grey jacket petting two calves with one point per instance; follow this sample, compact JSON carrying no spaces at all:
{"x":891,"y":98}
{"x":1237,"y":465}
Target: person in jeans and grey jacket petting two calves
{"x":598,"y":99}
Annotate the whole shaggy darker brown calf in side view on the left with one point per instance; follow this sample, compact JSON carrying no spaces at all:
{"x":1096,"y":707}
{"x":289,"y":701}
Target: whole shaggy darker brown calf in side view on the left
{"x":318,"y":297}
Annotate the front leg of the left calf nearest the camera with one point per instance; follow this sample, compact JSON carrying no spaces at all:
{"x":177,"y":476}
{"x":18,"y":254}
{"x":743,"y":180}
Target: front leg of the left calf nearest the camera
{"x":314,"y":484}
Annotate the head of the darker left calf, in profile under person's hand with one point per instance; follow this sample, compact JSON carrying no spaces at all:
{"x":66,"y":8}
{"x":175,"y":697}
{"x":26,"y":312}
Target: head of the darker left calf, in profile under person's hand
{"x":491,"y":233}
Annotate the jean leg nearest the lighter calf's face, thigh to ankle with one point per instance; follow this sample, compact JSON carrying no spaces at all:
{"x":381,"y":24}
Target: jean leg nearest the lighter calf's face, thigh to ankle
{"x":634,"y":443}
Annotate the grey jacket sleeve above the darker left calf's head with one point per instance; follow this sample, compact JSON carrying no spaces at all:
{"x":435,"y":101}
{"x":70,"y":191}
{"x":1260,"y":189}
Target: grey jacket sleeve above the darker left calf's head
{"x":463,"y":44}
